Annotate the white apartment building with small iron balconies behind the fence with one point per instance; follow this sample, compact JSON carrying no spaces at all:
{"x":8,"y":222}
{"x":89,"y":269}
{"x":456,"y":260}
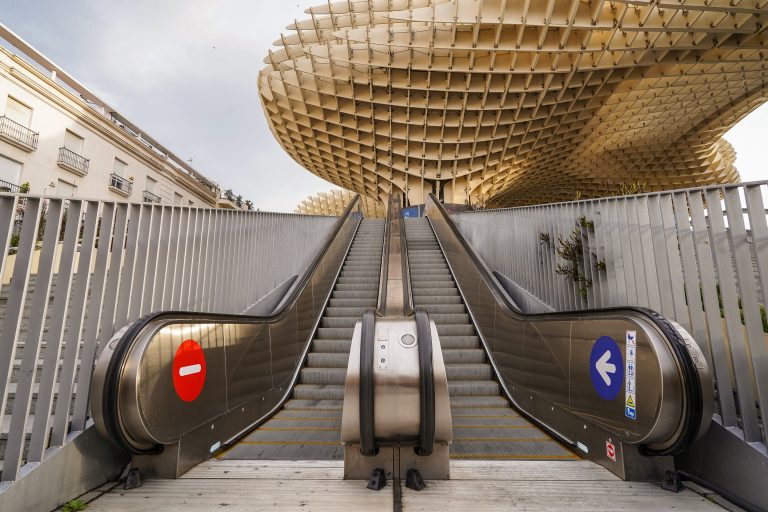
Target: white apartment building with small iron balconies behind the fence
{"x":61,"y":140}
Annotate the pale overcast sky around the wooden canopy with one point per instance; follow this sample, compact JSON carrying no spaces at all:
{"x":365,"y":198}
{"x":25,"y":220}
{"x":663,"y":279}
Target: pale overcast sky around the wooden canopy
{"x":186,"y":72}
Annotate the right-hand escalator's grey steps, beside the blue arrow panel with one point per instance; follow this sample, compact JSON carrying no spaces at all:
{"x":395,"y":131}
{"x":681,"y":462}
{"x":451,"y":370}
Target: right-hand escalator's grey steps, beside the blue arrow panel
{"x":485,"y":426}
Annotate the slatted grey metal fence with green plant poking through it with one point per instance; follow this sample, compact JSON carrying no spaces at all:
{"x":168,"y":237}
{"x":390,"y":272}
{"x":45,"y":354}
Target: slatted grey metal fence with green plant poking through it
{"x":697,"y":256}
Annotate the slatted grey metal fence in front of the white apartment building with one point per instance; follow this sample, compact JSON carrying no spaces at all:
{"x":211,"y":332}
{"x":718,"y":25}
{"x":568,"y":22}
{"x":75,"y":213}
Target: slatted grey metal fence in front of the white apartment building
{"x":79,"y":270}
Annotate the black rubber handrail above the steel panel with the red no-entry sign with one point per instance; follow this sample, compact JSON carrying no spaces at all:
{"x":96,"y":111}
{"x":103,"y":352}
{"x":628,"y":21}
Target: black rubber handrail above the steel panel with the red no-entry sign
{"x":126,"y":342}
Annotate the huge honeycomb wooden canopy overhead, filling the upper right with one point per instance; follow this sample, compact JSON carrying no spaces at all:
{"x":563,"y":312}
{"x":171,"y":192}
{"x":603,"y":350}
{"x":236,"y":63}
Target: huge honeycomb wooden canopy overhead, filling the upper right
{"x":517,"y":101}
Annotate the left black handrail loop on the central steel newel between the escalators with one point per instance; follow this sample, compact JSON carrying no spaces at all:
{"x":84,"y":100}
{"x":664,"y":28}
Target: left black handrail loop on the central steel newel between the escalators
{"x":367,"y":393}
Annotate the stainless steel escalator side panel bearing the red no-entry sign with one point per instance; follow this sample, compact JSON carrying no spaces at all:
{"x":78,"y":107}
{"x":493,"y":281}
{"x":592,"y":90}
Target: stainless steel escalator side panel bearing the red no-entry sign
{"x":250,"y":363}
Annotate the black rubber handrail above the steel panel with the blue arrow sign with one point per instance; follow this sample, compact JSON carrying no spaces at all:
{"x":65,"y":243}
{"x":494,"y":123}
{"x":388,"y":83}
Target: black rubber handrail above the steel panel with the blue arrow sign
{"x":692,"y":387}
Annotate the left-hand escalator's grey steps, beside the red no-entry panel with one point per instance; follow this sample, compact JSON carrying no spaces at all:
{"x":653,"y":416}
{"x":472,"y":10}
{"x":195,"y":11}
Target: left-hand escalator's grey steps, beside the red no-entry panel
{"x":308,"y":425}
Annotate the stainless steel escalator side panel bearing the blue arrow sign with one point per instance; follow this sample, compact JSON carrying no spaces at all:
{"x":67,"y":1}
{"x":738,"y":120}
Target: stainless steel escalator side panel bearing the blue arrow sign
{"x":548,"y":357}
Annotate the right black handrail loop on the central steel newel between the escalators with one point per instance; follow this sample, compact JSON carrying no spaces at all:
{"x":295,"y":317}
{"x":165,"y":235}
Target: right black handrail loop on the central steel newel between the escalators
{"x":426,"y":385}
